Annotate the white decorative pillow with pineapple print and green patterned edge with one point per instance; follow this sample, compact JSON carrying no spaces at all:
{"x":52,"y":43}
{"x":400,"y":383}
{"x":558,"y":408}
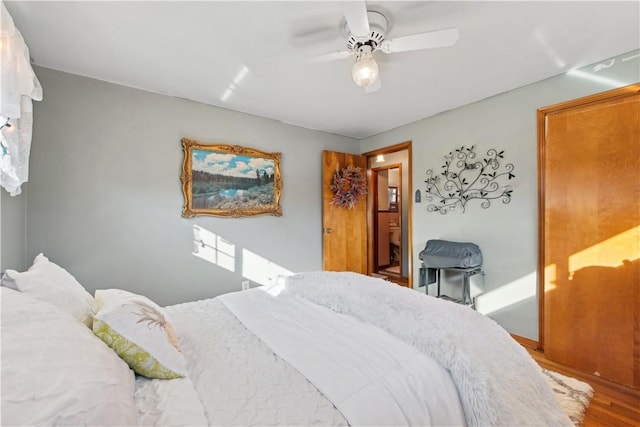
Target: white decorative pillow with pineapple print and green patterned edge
{"x":140,"y":332}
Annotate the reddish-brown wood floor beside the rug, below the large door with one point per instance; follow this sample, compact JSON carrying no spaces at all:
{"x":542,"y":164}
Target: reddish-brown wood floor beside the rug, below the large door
{"x":612,"y":404}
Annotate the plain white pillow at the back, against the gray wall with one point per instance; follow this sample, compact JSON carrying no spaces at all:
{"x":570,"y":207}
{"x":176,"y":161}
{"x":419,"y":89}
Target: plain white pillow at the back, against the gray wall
{"x":49,"y":282}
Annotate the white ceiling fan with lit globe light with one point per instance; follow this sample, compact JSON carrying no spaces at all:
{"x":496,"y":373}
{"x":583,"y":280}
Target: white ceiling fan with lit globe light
{"x":367,"y":35}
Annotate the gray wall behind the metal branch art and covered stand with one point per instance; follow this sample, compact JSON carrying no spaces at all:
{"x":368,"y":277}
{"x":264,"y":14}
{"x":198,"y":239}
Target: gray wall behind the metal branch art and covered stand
{"x":507,"y":234}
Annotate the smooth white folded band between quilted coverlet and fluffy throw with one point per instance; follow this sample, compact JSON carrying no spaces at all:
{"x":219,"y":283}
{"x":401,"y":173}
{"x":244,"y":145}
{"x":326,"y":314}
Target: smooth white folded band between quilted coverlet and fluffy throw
{"x":372,"y":377}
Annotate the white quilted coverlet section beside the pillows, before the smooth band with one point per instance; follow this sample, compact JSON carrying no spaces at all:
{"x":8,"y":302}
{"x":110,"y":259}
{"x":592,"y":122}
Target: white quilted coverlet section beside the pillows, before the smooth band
{"x":235,"y":377}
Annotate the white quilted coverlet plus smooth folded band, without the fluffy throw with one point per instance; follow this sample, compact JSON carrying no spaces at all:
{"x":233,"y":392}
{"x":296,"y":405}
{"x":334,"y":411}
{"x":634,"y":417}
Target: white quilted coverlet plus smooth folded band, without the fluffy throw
{"x":268,"y":357}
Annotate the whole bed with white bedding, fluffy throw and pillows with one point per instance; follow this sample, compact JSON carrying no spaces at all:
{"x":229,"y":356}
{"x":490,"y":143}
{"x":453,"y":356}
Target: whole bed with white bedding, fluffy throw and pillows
{"x":317,"y":348}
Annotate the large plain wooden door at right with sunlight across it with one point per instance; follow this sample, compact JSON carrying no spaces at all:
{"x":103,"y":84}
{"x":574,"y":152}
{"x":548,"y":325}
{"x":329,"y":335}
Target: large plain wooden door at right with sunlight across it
{"x":590,"y":234}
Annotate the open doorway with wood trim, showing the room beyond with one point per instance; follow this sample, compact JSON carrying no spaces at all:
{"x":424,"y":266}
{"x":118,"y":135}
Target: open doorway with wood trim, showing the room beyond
{"x":389,"y":214}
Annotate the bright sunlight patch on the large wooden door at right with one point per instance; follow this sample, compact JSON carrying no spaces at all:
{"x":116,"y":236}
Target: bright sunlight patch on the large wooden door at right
{"x":608,"y":253}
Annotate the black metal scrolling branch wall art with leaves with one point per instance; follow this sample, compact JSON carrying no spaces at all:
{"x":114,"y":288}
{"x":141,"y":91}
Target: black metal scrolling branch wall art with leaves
{"x":464,"y":179}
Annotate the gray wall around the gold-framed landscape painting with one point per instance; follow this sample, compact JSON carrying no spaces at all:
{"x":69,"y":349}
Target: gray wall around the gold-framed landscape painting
{"x":105,"y":197}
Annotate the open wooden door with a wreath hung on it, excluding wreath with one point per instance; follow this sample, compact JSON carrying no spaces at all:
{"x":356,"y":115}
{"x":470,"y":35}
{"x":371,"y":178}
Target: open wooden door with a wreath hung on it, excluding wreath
{"x":344,"y":231}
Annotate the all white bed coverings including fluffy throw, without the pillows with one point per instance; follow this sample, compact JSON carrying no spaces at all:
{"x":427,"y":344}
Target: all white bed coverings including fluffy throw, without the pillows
{"x":273,"y":358}
